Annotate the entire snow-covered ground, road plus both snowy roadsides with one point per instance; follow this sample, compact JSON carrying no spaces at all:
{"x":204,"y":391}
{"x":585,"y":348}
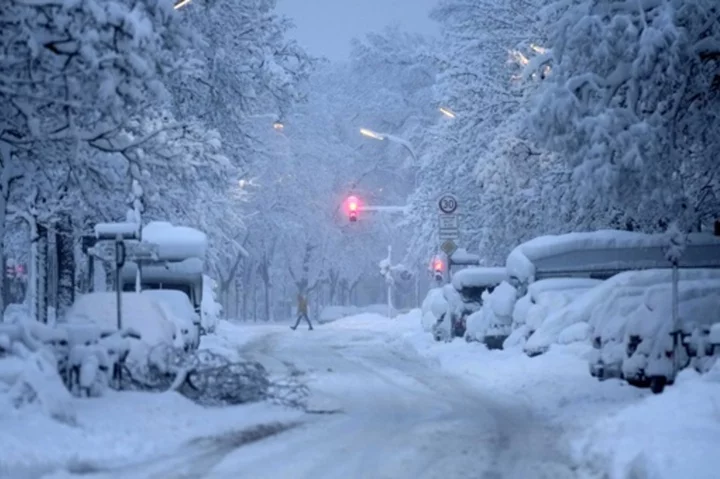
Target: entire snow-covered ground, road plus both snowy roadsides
{"x":386,"y":402}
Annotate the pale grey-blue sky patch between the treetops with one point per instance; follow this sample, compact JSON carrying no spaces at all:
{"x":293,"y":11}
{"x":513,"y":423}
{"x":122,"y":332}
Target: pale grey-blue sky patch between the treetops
{"x":325,"y":27}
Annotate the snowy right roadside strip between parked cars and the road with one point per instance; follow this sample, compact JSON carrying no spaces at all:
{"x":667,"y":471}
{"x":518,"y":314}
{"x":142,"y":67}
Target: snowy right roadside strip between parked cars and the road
{"x":615,"y":430}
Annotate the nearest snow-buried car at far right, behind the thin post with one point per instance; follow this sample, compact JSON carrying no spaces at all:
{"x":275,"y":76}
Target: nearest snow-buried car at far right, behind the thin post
{"x":649,"y":342}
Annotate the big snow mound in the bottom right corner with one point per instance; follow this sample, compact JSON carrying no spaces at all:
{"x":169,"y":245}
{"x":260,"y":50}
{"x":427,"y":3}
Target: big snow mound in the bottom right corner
{"x":669,"y":436}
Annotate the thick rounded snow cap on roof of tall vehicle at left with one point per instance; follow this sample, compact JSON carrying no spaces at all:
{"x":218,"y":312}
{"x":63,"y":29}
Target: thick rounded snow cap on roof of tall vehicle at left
{"x":175,"y":243}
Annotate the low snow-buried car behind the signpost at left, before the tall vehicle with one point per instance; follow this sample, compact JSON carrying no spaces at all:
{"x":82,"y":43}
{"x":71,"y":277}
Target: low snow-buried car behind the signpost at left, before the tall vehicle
{"x":139,"y":313}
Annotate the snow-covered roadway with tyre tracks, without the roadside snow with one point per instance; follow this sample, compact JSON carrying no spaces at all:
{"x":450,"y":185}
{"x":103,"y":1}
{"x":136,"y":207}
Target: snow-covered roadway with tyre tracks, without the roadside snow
{"x":381,"y":411}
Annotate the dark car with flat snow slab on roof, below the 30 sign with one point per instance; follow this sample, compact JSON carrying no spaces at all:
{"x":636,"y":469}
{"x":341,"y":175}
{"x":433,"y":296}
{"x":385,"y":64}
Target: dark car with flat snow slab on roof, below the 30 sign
{"x":464,"y":297}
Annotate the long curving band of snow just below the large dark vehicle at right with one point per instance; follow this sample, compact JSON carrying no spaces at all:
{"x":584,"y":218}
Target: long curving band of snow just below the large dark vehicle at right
{"x":581,"y":309}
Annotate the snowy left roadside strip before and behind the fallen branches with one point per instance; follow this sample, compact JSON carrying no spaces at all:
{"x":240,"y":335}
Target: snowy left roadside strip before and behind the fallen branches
{"x":125,"y":427}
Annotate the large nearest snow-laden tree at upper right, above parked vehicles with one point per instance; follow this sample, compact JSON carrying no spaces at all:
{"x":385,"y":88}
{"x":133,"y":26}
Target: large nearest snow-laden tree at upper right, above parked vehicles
{"x":631,"y":107}
